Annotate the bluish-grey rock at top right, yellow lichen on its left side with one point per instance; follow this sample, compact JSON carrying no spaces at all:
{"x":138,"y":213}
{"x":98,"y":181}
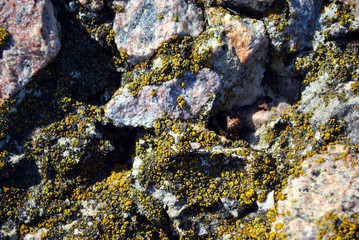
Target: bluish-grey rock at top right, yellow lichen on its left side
{"x":293,"y":31}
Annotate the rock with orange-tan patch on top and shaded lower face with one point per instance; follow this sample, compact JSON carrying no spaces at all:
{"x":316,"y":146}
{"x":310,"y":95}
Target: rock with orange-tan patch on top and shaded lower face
{"x":239,"y":46}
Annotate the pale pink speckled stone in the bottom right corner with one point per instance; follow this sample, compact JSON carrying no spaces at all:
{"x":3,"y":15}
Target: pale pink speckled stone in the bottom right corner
{"x":330,"y":186}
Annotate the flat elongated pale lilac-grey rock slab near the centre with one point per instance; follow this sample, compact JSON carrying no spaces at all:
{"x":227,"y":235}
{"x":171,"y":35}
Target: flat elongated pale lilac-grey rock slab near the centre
{"x":198,"y":91}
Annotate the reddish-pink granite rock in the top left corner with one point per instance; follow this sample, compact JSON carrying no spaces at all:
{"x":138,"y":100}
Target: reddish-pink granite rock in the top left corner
{"x":33,"y":42}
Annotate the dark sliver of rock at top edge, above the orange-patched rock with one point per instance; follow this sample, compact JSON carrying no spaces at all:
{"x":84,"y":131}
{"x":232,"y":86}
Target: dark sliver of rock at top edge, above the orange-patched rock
{"x":256,"y":5}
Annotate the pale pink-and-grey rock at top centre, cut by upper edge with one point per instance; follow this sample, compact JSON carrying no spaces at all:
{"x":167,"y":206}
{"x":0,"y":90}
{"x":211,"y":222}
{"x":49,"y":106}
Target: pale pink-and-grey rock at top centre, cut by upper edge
{"x":144,"y":25}
